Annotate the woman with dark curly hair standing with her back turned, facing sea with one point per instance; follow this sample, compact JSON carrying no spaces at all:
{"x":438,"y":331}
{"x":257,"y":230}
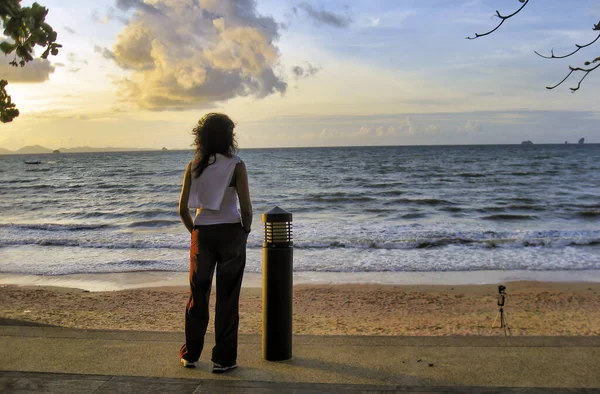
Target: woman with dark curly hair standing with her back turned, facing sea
{"x":213,"y":184}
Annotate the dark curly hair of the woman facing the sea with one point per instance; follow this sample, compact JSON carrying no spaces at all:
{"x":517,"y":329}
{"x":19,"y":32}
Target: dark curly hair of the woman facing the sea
{"x":213,"y":134}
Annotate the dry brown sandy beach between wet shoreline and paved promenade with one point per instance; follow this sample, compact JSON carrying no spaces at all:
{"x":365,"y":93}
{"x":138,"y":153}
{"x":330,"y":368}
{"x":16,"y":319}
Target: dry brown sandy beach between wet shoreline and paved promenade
{"x":532,"y":308}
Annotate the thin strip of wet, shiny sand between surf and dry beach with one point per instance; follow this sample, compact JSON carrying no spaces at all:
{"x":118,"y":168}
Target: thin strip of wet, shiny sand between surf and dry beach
{"x":100,"y":282}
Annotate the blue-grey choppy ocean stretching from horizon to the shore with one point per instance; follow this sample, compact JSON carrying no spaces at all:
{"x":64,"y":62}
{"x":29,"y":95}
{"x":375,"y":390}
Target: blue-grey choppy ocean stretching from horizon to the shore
{"x":355,"y":210}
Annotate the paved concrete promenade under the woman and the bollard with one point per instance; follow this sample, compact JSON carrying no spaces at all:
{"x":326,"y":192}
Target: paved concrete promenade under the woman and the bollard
{"x":51,"y":359}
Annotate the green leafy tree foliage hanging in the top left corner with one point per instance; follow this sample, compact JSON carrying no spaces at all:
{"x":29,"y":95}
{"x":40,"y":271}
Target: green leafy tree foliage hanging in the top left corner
{"x":24,"y":29}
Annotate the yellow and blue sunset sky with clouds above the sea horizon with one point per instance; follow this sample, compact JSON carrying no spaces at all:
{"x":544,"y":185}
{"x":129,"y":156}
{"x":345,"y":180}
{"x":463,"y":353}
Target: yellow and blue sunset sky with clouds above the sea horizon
{"x":140,"y":73}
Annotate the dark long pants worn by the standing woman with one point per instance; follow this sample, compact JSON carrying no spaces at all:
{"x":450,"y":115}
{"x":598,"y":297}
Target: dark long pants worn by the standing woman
{"x":222,"y":246}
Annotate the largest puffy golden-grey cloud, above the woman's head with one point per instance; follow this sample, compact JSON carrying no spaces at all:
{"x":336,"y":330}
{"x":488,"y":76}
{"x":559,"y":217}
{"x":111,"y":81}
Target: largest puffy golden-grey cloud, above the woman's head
{"x":190,"y":54}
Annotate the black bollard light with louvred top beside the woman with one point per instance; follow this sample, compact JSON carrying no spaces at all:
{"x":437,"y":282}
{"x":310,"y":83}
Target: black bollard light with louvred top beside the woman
{"x":277,"y":282}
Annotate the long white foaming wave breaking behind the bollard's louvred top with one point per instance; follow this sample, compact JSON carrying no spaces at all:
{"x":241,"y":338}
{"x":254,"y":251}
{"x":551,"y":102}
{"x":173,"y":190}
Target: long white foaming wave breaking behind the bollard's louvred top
{"x":410,"y":239}
